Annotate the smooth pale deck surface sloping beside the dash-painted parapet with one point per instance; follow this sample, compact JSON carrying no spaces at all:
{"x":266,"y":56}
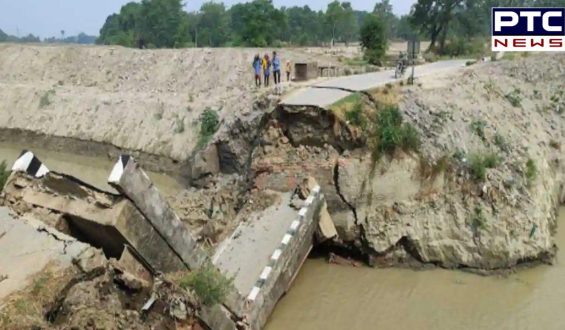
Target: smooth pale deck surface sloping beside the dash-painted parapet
{"x":248,"y":251}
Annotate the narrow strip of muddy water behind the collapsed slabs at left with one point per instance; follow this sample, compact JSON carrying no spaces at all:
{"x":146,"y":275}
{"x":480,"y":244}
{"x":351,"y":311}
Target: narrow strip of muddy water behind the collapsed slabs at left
{"x":92,"y":170}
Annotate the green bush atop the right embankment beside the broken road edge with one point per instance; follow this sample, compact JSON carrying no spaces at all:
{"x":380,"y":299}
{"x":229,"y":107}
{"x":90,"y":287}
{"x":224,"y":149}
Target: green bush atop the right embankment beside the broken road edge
{"x":391,"y":133}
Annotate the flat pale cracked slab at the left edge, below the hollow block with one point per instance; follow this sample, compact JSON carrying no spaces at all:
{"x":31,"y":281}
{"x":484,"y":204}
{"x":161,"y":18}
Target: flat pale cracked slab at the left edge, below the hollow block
{"x":28,"y":247}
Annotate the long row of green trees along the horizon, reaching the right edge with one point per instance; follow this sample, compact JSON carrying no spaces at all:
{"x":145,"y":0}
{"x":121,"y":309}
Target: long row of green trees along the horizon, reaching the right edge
{"x":448,"y":24}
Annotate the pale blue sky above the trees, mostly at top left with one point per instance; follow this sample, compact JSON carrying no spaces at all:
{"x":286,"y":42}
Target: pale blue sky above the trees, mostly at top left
{"x":46,"y":18}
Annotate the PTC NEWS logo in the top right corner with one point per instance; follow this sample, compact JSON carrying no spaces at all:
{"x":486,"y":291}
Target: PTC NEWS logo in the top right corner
{"x":528,"y":29}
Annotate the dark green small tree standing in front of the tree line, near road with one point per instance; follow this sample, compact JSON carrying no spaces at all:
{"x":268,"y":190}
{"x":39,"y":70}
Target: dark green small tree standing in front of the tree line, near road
{"x":374,"y":39}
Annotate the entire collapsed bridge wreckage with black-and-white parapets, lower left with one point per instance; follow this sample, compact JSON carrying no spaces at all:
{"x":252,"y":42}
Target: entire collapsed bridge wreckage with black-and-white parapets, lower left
{"x":138,"y":228}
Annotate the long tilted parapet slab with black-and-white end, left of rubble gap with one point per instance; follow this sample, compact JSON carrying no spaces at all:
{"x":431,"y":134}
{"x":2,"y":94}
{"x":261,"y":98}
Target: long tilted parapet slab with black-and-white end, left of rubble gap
{"x":128,"y":178}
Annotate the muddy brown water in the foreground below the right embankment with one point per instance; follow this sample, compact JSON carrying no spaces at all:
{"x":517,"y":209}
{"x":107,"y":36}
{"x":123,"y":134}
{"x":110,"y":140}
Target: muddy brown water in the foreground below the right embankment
{"x":328,"y":296}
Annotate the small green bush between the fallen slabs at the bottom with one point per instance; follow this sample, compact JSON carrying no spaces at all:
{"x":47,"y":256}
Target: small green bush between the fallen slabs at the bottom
{"x":208,"y":284}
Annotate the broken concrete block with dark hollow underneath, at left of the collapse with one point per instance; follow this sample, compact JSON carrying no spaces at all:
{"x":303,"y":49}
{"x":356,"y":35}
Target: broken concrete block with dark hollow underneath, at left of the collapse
{"x":106,"y":221}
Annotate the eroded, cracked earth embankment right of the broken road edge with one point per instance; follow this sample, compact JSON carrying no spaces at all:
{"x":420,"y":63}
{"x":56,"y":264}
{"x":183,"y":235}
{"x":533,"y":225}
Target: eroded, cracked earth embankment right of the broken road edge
{"x":480,"y":191}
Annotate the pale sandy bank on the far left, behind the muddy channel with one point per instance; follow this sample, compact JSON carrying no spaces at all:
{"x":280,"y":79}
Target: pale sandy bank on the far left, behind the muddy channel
{"x":142,"y":100}
